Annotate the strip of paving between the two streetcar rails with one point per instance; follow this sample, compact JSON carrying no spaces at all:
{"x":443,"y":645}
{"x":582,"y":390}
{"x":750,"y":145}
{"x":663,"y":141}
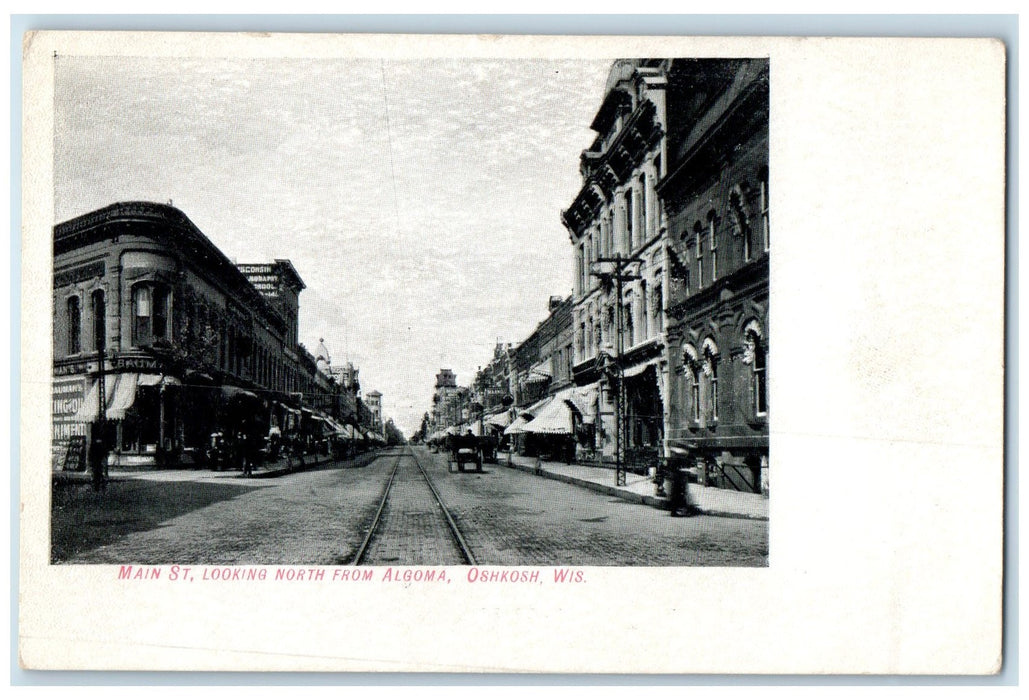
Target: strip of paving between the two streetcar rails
{"x":413,"y":530}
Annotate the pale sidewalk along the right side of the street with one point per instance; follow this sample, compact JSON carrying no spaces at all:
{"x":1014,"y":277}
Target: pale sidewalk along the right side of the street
{"x":707,"y":501}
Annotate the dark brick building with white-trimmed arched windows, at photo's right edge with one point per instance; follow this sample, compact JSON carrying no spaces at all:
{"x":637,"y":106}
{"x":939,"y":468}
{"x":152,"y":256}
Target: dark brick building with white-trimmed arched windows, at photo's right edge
{"x":716,"y":197}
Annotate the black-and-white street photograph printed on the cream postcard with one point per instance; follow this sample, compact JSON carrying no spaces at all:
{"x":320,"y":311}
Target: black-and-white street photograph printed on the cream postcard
{"x":427,"y":313}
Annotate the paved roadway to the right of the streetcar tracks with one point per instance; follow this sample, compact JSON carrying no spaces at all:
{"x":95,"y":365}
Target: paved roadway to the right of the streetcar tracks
{"x":514,"y":518}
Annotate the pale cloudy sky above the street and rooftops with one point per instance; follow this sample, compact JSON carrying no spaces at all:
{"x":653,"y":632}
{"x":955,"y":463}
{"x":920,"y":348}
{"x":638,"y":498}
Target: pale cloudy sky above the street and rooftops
{"x":423,"y":237}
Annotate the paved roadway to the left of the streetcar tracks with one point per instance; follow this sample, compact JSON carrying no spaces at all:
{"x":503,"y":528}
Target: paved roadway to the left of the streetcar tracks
{"x":316,"y":517}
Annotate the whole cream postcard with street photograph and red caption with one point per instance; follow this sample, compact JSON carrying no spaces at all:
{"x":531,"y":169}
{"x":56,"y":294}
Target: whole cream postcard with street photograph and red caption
{"x":512,"y":355}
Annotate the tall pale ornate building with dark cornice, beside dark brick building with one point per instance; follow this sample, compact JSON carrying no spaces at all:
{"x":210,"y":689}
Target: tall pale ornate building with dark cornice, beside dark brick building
{"x":619,"y":238}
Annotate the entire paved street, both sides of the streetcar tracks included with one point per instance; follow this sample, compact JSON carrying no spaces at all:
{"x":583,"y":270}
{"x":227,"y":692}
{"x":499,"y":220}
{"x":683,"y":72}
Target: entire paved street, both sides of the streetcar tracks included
{"x":322,"y":517}
